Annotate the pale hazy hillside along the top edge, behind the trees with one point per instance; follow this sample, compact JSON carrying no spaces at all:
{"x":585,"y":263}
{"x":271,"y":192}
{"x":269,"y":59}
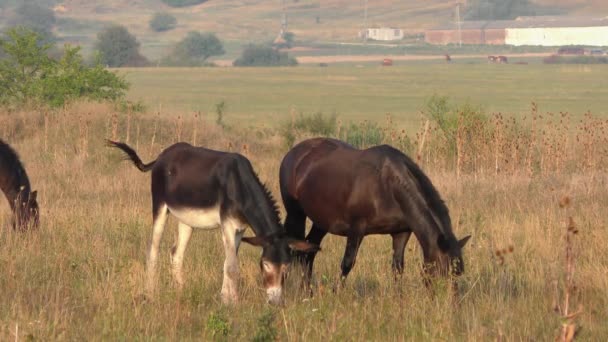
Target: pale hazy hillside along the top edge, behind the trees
{"x":238,"y":22}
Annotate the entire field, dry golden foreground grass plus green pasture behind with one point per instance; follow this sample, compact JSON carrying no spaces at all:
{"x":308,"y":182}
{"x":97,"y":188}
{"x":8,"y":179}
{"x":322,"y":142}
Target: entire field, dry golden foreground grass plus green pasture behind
{"x":512,"y":183}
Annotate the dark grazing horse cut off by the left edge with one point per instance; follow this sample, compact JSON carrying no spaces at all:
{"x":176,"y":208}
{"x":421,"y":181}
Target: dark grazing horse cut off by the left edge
{"x":16,"y":187}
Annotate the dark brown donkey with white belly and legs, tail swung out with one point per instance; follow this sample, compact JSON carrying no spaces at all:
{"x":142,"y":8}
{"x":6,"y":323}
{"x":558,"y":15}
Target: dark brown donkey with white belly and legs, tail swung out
{"x":209,"y":189}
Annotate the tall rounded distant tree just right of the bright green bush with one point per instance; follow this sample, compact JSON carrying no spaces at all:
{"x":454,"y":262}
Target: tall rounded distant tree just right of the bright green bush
{"x":118,"y":47}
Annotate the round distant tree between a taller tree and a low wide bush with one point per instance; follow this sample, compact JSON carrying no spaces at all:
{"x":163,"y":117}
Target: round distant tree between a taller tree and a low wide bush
{"x":195,"y":49}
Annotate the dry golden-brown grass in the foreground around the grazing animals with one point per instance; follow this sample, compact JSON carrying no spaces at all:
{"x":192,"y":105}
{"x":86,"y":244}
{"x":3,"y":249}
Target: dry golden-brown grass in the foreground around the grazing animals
{"x":80,"y":275}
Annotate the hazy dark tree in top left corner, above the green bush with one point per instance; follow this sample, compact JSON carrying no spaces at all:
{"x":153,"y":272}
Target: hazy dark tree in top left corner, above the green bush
{"x":36,"y":17}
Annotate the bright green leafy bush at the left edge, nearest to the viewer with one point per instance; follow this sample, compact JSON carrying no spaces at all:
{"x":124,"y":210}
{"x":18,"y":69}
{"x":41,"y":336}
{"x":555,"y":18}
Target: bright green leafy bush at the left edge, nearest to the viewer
{"x":29,"y":75}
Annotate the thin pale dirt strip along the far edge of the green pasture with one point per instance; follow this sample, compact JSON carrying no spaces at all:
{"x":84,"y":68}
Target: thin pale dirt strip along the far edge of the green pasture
{"x":379,"y":58}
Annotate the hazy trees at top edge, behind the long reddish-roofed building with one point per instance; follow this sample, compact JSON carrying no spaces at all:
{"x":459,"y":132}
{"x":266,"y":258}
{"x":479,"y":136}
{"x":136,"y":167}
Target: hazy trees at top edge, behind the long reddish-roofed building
{"x":498,"y":9}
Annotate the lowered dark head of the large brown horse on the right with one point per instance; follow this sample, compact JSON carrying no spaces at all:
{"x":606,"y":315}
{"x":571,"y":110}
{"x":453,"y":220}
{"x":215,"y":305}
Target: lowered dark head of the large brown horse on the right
{"x":447,"y":257}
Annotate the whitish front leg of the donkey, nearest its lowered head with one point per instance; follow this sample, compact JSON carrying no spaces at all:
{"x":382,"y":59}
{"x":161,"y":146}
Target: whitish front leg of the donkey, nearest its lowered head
{"x":231,"y":235}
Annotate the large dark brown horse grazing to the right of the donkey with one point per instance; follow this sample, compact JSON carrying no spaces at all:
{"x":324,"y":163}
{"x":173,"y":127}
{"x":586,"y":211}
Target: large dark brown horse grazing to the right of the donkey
{"x":354,"y":193}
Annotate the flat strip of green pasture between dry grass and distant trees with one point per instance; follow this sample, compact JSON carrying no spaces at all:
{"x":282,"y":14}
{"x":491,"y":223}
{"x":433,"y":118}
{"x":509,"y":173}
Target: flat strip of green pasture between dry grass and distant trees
{"x":356,"y":92}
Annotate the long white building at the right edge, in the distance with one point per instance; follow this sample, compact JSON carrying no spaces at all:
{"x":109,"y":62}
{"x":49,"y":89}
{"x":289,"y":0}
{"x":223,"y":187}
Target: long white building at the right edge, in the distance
{"x":558,"y":31}
